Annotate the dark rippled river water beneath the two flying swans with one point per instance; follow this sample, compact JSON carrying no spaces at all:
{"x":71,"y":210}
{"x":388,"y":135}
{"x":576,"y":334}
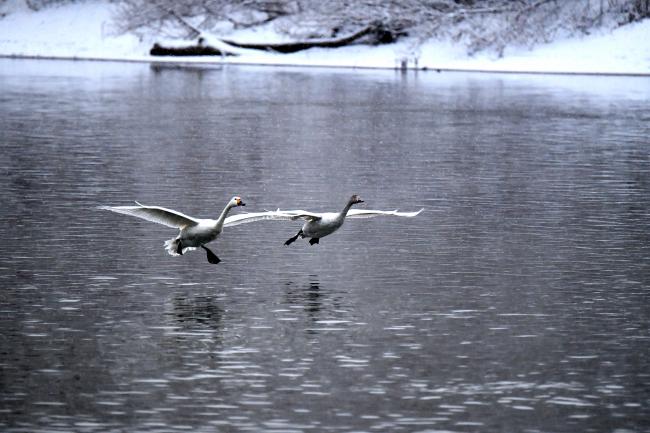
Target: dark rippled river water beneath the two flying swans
{"x":518,"y":301}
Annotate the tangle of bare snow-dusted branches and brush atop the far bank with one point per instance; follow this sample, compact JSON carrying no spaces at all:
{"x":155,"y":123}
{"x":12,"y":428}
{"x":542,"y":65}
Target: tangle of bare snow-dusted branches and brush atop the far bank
{"x":478,"y":24}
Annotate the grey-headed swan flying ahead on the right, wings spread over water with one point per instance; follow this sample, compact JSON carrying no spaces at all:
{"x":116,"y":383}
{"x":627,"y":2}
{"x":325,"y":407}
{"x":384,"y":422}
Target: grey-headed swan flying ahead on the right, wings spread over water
{"x":318,"y":225}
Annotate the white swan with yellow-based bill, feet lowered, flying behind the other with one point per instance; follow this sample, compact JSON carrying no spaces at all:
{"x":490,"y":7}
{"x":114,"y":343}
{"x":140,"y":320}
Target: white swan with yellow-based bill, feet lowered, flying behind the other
{"x":194,"y":232}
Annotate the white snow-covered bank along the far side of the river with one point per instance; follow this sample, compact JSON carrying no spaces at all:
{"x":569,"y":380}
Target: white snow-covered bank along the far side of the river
{"x":85,"y":31}
